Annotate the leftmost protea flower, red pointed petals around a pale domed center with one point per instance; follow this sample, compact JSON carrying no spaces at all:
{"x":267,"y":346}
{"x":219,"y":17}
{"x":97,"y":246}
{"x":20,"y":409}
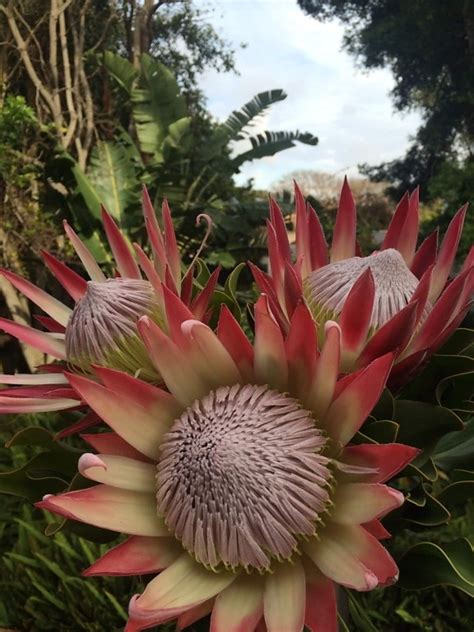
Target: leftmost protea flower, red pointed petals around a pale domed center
{"x":101,"y":328}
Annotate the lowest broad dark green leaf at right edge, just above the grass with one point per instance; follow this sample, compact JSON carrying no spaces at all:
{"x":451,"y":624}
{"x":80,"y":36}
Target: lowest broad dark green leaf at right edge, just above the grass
{"x":427,"y":564}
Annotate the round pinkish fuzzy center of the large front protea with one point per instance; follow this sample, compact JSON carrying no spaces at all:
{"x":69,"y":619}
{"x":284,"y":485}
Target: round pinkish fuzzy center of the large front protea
{"x":241,"y":476}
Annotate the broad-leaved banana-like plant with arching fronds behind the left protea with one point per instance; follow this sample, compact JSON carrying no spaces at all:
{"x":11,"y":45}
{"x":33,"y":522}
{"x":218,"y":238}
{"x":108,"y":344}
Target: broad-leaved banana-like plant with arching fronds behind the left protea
{"x":157,"y":151}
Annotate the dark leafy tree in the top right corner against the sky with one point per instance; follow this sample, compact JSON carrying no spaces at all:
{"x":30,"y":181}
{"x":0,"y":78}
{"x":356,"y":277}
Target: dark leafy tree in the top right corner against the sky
{"x":429,"y":46}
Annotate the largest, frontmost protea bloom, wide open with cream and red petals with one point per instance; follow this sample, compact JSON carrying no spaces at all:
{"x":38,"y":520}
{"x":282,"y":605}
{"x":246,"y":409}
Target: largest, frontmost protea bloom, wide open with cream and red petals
{"x":239,"y":484}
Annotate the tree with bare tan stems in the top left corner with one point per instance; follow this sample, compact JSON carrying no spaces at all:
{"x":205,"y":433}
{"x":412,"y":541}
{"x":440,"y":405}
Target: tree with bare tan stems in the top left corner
{"x":52,"y":57}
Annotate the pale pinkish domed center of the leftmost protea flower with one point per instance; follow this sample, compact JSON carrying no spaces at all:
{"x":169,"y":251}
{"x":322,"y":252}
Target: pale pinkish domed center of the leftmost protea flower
{"x":102,"y":328}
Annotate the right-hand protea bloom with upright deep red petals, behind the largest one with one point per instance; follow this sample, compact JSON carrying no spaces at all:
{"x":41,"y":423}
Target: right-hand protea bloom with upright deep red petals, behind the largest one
{"x":398,"y":298}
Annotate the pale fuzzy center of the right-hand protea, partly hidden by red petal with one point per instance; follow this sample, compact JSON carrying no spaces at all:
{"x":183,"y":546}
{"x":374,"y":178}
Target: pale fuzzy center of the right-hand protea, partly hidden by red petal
{"x":327,"y":288}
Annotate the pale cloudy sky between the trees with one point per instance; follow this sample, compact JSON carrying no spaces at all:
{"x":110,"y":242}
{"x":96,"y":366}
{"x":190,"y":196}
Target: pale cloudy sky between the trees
{"x":346,"y":107}
